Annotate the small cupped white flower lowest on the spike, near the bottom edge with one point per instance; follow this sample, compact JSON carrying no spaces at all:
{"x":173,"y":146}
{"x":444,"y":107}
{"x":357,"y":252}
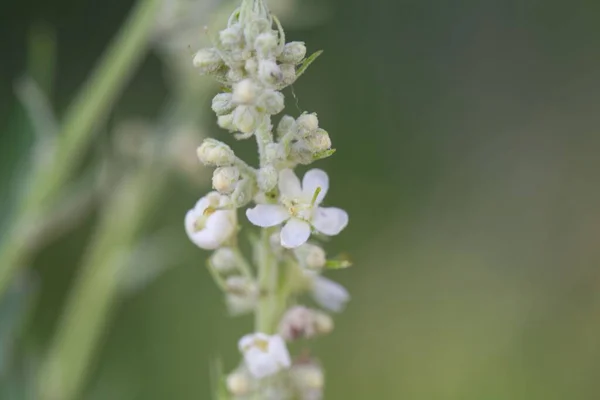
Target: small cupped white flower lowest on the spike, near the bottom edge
{"x":264,"y":355}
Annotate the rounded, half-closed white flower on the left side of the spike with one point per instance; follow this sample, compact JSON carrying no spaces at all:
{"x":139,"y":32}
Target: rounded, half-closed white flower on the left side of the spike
{"x":207,"y":227}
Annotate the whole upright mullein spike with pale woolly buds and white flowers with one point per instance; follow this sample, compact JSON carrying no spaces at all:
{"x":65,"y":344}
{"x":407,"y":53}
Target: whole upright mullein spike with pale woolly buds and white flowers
{"x":253,"y":64}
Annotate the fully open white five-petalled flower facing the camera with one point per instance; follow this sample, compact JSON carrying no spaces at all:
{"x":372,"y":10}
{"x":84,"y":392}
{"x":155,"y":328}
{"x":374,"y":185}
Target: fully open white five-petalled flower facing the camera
{"x":300,"y":208}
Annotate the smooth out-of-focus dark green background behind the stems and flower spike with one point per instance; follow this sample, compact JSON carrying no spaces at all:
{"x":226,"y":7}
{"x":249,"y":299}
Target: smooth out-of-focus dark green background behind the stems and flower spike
{"x":468,"y":159}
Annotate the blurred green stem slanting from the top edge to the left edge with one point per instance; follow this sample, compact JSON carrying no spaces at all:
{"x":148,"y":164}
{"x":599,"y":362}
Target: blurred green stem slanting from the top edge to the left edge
{"x":89,"y":108}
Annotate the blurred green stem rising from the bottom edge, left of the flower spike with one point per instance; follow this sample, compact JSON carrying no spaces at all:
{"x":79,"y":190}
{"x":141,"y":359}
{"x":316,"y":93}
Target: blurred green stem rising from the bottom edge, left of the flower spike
{"x":64,"y":371}
